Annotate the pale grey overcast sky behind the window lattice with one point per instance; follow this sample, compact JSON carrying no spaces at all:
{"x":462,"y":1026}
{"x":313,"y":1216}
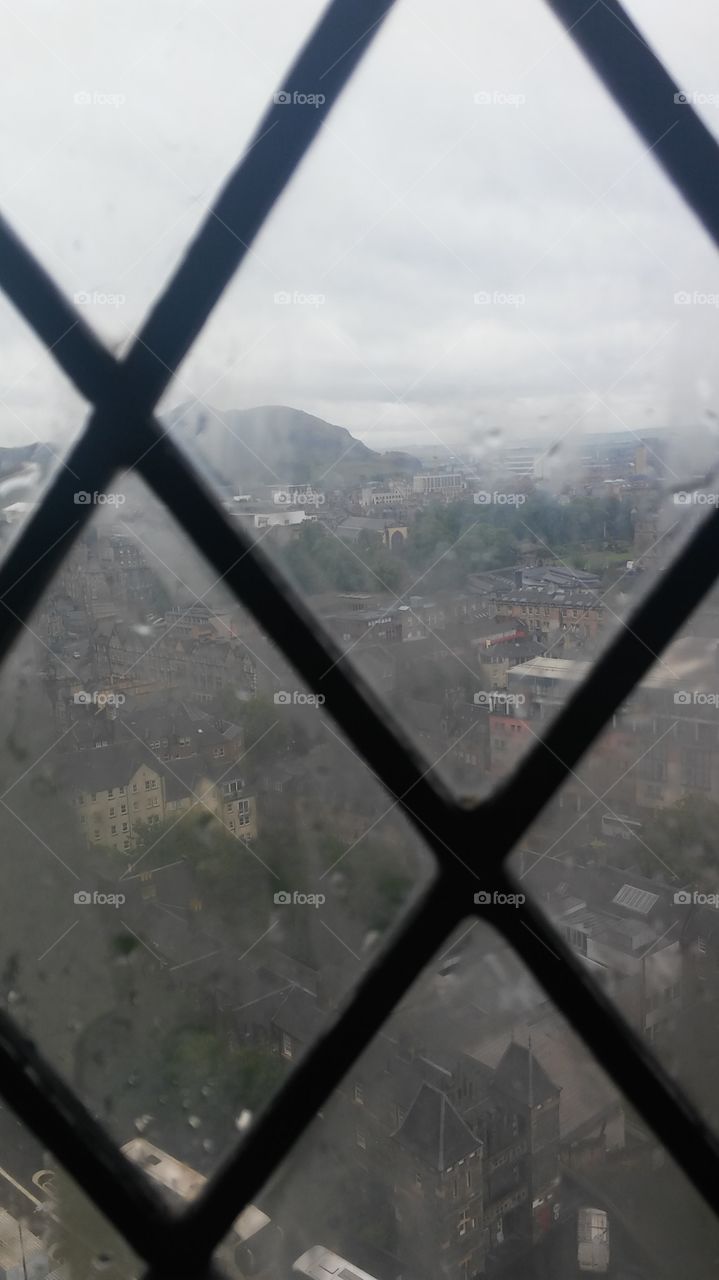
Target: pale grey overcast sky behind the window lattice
{"x":474,"y":156}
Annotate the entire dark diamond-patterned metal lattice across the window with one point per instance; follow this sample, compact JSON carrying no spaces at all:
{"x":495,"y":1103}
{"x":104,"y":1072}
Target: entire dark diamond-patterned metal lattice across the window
{"x":470,"y":845}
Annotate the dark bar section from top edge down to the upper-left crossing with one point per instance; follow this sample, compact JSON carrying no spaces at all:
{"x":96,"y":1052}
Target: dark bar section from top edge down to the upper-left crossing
{"x":285,"y":134}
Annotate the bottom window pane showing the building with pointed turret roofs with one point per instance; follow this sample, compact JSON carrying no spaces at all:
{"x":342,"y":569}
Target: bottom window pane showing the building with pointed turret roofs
{"x":478,"y":1137}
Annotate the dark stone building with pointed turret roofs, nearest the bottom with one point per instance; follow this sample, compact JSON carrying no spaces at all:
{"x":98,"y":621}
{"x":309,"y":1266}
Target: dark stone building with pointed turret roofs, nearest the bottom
{"x":469,"y":1153}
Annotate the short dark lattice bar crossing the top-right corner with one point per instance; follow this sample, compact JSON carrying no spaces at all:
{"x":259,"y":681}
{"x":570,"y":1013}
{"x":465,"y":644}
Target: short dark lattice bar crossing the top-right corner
{"x":642,"y":86}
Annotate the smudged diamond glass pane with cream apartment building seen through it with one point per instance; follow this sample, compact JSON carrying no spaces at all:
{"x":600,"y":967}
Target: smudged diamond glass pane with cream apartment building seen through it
{"x":198,"y":866}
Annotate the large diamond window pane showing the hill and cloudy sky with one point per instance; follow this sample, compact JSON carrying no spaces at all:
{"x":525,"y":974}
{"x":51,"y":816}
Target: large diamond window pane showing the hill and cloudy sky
{"x":464,"y":373}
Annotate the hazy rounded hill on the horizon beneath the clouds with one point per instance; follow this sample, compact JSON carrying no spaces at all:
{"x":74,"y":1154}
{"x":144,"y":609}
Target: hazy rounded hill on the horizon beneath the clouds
{"x":277,"y":445}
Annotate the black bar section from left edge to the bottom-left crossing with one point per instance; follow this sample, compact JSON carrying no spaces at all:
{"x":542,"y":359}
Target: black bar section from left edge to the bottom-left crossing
{"x":53,"y":1113}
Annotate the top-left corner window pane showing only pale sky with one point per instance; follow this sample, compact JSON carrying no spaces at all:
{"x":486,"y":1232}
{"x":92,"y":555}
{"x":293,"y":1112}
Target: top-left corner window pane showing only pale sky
{"x":130,"y":124}
